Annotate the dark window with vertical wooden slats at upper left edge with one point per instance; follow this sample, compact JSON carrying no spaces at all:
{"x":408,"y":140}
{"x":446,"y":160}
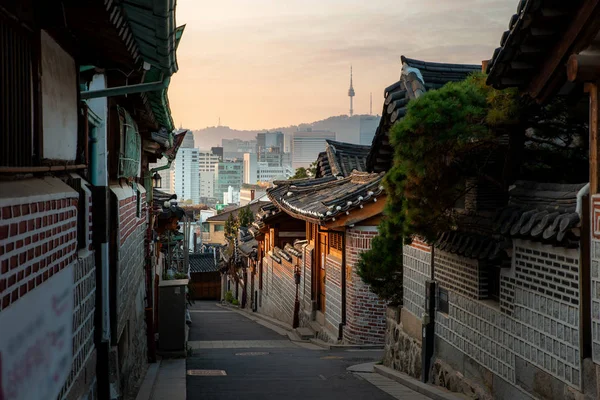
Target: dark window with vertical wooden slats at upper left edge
{"x":18,"y":117}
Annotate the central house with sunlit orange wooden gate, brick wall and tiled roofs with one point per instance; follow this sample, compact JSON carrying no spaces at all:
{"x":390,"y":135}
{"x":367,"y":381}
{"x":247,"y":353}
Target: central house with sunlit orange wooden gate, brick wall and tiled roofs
{"x":342,"y":208}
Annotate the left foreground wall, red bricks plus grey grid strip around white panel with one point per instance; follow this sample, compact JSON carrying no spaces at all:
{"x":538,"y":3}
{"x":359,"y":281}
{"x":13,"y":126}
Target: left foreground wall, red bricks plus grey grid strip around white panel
{"x":38,"y":238}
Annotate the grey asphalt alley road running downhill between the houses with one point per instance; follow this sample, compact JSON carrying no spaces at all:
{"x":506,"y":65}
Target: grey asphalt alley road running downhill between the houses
{"x":237,"y":358}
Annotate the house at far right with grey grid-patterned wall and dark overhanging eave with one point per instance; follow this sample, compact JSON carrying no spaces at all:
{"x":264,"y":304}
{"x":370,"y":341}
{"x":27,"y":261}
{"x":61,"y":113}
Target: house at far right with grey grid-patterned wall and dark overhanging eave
{"x":517,"y":312}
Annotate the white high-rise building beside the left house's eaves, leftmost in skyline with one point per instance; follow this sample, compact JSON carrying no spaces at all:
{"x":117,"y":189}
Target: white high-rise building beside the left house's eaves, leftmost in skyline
{"x":186,"y":181}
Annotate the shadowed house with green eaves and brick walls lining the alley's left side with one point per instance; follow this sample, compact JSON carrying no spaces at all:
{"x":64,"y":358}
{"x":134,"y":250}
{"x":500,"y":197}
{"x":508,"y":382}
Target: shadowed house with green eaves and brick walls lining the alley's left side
{"x":64,"y":232}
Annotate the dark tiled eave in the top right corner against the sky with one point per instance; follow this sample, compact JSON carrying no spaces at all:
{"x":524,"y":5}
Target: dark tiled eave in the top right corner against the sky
{"x":532,"y":37}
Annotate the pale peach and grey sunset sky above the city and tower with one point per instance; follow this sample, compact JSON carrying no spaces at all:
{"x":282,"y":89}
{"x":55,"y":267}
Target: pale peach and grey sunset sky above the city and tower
{"x":259,"y":64}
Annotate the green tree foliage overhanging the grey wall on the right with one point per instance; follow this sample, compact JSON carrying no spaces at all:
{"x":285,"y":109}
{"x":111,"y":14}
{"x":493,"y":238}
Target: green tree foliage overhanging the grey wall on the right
{"x":465,"y":130}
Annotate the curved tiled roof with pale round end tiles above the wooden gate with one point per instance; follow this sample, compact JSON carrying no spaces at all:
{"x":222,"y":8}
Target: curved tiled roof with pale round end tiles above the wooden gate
{"x":323,"y":199}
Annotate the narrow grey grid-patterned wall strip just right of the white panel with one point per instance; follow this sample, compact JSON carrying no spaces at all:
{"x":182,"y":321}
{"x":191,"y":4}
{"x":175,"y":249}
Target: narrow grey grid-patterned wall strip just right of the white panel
{"x":83,"y":327}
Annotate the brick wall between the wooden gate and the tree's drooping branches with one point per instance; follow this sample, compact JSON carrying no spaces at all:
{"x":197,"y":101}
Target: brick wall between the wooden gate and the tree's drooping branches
{"x":365,"y":312}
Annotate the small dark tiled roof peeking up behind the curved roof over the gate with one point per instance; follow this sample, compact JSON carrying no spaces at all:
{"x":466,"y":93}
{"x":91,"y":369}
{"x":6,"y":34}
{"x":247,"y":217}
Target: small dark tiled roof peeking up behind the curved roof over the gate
{"x":340,"y":159}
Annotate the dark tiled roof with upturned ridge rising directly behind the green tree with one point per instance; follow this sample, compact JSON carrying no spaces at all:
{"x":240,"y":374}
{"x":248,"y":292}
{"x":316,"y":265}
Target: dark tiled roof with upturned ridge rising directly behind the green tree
{"x":416,"y":78}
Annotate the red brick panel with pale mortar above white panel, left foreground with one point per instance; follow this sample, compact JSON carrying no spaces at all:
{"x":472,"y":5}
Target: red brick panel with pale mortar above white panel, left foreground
{"x":38,"y":236}
